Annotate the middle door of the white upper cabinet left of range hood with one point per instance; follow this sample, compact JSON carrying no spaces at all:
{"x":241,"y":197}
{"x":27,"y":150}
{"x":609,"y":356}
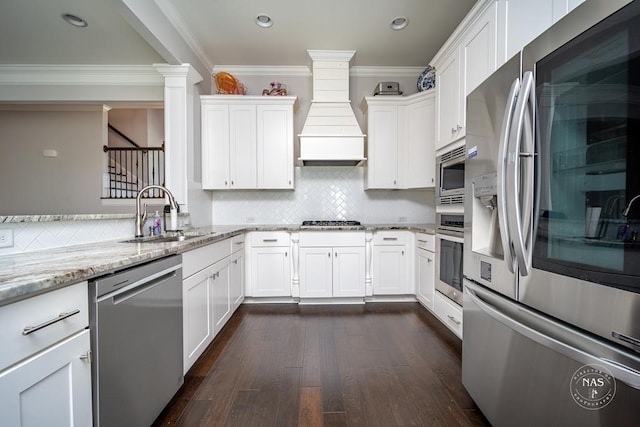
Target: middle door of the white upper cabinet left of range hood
{"x":242,"y":146}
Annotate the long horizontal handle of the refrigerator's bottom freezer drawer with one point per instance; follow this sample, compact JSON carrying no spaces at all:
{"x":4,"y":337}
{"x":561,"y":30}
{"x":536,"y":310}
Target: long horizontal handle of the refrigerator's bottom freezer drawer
{"x":622,"y":373}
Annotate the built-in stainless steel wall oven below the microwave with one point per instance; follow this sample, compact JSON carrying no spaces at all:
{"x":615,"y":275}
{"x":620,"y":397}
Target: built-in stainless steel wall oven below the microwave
{"x":449,"y":251}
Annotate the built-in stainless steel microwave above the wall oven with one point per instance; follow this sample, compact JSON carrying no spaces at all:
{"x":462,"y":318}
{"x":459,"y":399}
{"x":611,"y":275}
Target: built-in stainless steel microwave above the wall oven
{"x":450,"y":177}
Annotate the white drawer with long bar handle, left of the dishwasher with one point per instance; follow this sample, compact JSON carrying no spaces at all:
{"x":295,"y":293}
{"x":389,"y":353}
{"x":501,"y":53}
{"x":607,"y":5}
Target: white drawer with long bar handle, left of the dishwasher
{"x":53,"y":317}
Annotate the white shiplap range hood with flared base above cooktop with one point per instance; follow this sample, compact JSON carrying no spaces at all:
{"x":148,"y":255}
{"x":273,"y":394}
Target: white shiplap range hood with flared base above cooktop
{"x":331,"y":135}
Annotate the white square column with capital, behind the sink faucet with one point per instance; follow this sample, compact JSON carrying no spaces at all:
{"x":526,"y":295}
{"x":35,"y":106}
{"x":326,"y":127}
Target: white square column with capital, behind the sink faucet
{"x":179,"y":123}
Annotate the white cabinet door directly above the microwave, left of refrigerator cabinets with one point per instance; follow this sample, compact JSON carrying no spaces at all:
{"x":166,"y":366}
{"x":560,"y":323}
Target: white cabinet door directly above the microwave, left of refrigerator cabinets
{"x":447,"y":100}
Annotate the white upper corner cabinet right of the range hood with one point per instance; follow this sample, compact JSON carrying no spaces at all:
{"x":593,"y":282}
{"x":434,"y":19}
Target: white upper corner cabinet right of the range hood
{"x":400,"y":141}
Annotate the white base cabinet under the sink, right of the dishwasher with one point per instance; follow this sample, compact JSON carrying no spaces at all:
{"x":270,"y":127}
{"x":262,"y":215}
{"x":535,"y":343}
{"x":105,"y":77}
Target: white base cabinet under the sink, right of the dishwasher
{"x":212,"y":289}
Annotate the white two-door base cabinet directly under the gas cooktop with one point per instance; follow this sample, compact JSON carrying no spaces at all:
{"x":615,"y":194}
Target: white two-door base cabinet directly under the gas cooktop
{"x":332,"y":264}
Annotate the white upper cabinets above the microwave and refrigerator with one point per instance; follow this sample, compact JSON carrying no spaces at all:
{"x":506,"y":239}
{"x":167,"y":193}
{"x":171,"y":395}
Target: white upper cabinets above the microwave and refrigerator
{"x":492,"y":32}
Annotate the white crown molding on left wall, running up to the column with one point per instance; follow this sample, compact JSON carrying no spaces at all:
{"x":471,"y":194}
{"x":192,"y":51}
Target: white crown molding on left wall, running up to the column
{"x":80,"y":75}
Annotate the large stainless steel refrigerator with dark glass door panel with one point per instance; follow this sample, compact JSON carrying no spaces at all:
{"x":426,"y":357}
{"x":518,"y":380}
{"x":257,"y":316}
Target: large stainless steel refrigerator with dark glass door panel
{"x":552,"y":215}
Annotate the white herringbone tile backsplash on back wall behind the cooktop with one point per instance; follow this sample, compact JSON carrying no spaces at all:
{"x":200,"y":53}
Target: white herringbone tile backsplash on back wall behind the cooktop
{"x":334,"y":192}
